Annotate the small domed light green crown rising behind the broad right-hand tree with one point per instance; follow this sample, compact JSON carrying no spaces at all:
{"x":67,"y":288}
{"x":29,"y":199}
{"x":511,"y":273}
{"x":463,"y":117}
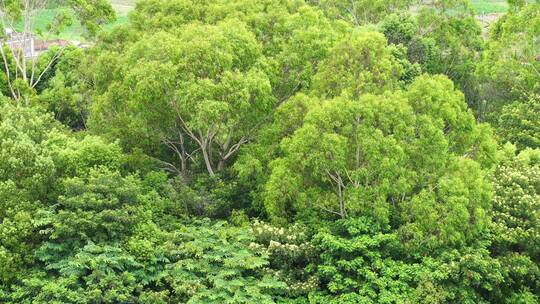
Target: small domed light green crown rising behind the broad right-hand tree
{"x":360,"y":63}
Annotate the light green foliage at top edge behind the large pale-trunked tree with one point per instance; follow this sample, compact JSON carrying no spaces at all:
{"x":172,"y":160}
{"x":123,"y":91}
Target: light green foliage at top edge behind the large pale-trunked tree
{"x":294,"y":36}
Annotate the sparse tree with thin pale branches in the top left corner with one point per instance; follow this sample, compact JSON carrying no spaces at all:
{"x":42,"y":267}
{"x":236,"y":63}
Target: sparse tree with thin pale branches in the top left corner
{"x":23,"y":68}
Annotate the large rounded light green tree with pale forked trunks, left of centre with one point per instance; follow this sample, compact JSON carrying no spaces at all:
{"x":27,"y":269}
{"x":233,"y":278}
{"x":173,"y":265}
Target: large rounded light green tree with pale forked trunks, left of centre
{"x":202,"y":92}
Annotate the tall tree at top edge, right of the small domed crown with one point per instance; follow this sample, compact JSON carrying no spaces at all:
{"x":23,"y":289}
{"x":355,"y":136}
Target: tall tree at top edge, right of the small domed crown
{"x":443,"y":37}
